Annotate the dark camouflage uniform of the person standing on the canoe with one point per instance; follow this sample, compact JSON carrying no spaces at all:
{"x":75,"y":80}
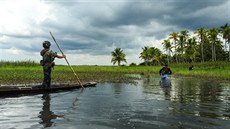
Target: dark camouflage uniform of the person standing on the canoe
{"x":48,"y":57}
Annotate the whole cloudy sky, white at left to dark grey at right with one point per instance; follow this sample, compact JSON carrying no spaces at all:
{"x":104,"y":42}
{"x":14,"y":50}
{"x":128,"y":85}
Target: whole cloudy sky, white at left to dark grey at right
{"x":89,"y":30}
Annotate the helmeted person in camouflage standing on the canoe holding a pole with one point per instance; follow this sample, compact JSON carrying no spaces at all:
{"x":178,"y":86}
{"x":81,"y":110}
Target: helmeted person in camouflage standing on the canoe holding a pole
{"x":47,"y":62}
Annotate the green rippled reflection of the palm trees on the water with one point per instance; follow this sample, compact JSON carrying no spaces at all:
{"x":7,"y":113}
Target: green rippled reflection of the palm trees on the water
{"x":191,"y":96}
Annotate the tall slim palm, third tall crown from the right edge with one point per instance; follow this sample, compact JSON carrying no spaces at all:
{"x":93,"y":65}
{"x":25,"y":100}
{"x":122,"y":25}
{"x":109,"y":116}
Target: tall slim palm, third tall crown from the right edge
{"x":201,"y":32}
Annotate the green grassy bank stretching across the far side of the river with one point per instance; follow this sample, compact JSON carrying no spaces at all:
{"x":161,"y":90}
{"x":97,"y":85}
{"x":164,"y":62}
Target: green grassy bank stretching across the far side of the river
{"x":31,"y":72}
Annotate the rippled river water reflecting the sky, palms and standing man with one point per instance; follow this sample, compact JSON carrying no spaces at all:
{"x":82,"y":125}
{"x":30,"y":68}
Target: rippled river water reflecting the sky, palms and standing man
{"x":187,"y":104}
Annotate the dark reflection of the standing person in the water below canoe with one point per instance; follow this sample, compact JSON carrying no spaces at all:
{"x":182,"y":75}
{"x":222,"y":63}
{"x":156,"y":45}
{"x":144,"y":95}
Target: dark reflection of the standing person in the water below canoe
{"x":46,"y":114}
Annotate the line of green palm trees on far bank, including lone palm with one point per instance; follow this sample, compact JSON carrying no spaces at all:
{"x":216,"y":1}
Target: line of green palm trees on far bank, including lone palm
{"x":185,"y":47}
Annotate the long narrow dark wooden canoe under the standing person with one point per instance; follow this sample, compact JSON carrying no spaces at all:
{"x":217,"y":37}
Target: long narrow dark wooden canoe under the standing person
{"x":20,"y":90}
